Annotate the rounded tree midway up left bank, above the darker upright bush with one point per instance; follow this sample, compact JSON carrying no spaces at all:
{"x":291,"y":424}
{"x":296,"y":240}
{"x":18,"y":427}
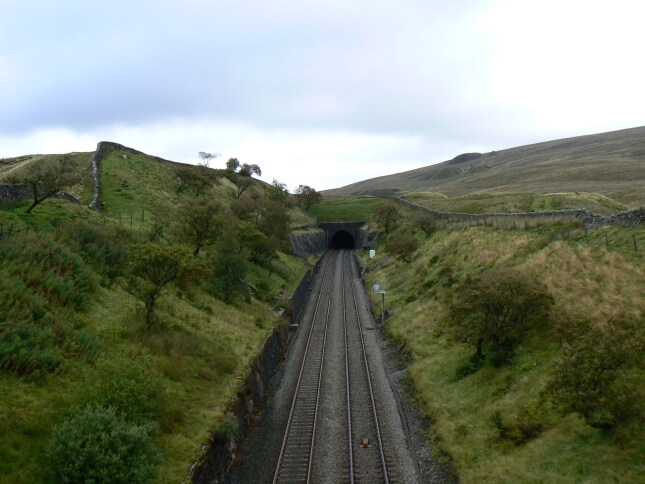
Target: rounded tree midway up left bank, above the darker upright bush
{"x":201,"y":222}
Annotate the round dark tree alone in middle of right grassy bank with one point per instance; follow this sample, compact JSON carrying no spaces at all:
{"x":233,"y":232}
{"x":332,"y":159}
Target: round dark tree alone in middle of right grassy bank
{"x":497,"y":309}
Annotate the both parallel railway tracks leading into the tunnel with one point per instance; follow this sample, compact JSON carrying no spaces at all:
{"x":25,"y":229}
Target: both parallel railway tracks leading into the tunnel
{"x":367,"y":460}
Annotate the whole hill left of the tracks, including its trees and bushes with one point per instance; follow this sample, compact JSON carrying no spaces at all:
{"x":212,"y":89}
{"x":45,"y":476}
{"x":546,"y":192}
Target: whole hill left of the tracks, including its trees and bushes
{"x":95,"y":340}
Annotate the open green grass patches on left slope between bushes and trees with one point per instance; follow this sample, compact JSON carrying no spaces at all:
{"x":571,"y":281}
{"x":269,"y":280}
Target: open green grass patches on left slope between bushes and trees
{"x":199,"y":349}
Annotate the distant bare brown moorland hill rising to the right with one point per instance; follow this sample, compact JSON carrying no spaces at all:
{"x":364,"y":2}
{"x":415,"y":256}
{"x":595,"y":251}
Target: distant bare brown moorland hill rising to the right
{"x":611,"y":164}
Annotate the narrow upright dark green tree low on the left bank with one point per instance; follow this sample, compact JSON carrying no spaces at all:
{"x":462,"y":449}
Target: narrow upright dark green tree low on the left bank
{"x":229,"y":268}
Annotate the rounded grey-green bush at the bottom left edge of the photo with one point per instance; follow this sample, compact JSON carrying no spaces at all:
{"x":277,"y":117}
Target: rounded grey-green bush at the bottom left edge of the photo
{"x":96,"y":445}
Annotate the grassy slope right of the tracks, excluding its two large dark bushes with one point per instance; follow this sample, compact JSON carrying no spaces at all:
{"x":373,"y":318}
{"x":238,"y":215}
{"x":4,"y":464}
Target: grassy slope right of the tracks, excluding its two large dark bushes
{"x":499,"y":423}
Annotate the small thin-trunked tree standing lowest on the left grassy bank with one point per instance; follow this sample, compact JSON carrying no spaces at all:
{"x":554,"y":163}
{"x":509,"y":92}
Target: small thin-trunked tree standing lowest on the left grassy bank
{"x":152,"y":268}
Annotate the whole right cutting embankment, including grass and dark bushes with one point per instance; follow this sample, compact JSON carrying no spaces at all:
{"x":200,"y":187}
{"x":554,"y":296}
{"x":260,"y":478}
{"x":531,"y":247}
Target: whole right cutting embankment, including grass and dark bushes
{"x":524,"y":351}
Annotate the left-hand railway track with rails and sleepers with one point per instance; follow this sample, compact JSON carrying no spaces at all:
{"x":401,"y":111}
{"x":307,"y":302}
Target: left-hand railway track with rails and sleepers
{"x":294,"y":463}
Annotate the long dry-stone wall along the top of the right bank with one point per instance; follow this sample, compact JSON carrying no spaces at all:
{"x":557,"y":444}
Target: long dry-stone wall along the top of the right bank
{"x":628,"y":218}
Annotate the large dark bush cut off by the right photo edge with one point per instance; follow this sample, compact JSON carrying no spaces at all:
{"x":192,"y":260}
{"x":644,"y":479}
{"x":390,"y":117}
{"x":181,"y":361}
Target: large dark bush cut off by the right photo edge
{"x":598,"y":374}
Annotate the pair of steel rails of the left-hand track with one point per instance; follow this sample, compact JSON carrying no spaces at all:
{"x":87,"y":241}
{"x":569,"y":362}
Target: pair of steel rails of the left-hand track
{"x":281,"y":459}
